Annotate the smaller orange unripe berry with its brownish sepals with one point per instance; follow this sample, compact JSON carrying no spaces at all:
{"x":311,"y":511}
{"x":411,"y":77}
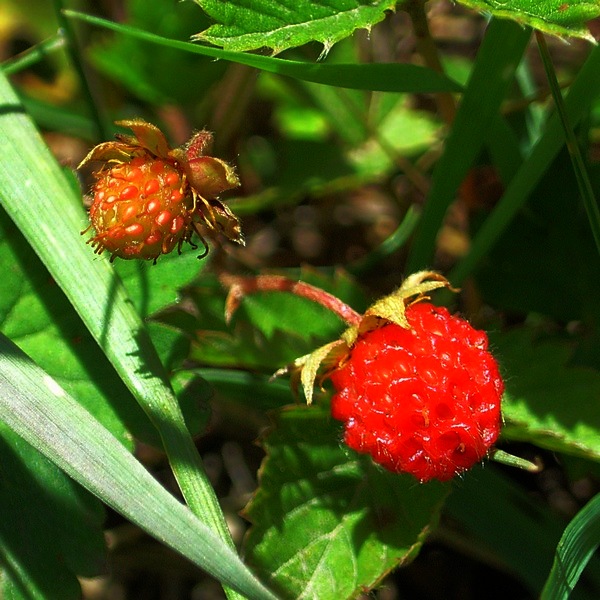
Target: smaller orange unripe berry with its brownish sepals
{"x":150,"y":198}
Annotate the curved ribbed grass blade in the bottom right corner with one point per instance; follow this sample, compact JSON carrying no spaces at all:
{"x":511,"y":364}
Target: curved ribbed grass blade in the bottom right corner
{"x":575,"y":548}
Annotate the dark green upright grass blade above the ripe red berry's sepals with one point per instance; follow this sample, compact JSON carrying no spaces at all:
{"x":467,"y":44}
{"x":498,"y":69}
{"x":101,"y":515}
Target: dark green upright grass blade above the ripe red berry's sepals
{"x":497,"y":60}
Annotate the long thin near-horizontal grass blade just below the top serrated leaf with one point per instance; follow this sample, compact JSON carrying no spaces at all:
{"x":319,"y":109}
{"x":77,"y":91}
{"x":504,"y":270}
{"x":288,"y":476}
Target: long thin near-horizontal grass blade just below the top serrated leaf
{"x":384,"y":77}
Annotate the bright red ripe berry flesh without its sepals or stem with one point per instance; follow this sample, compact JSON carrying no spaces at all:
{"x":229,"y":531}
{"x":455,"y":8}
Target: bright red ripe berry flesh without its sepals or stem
{"x":423,"y":400}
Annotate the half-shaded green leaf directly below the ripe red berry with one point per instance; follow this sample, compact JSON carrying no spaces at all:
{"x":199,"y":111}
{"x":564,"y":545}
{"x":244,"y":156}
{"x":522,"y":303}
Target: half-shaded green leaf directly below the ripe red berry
{"x":326,"y":522}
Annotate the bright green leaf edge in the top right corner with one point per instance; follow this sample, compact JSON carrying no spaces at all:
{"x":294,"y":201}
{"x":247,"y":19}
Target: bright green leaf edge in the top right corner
{"x":557,"y":17}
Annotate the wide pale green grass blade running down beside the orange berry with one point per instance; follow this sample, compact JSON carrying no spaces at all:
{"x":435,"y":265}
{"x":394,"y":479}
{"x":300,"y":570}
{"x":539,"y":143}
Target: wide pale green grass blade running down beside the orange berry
{"x":38,"y":198}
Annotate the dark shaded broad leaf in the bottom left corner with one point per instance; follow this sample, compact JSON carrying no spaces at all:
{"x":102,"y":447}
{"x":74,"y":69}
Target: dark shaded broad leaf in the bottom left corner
{"x":51,"y":529}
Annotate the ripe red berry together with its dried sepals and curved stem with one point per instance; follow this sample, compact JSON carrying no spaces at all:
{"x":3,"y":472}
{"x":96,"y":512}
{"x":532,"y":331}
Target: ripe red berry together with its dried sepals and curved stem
{"x":416,"y":387}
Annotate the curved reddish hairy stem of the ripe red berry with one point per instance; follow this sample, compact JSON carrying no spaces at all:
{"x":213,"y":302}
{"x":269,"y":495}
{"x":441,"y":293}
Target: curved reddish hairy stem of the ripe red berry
{"x":243,"y":286}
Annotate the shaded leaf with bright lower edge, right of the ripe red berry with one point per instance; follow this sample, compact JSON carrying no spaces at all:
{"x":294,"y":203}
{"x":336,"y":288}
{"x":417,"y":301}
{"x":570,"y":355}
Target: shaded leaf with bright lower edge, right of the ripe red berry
{"x":548,"y":402}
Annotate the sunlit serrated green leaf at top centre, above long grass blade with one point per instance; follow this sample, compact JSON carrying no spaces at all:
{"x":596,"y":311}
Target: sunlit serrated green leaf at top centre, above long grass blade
{"x":244,"y":25}
